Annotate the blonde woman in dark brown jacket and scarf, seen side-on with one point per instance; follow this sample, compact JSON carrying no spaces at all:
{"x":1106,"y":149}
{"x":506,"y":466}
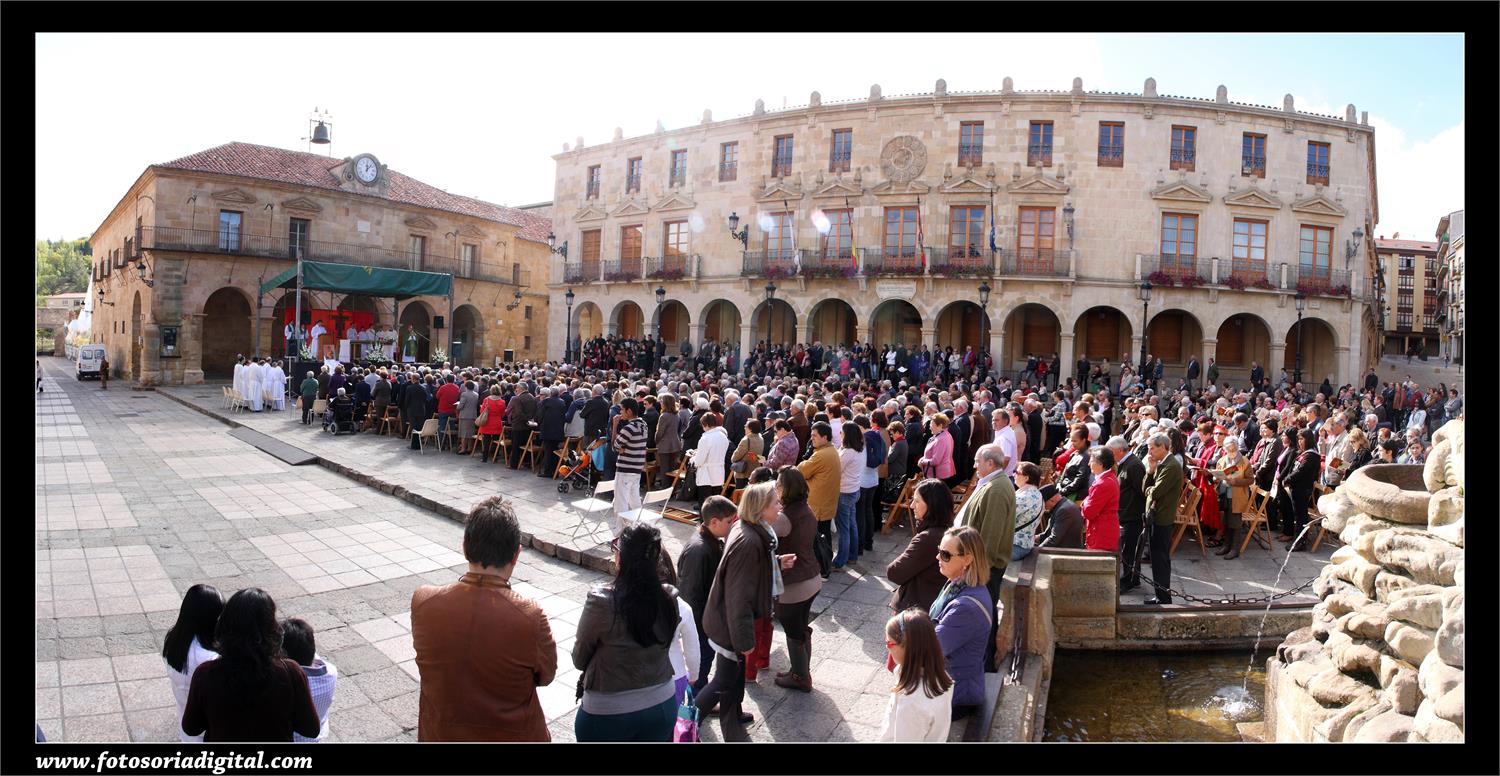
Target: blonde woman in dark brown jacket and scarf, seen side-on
{"x":742,"y":594}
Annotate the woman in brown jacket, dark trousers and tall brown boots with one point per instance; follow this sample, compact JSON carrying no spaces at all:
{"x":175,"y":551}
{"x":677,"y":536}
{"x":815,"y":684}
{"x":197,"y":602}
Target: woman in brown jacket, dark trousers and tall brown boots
{"x":796,"y":531}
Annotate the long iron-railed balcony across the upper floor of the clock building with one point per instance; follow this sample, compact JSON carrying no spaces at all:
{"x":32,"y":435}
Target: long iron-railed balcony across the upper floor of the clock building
{"x":236,"y":242}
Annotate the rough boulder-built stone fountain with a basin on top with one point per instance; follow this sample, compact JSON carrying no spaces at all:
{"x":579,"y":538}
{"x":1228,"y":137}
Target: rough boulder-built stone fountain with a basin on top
{"x":1384,"y":660}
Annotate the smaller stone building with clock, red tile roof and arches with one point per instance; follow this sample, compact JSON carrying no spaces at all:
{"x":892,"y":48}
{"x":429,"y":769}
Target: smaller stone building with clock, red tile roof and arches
{"x":208,"y":284}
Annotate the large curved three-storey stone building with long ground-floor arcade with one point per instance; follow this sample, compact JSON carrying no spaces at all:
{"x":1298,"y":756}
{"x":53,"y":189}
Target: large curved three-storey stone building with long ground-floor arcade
{"x":1079,"y":298}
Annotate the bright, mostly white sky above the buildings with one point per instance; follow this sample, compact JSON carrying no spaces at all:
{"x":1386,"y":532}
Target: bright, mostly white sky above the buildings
{"x":482,"y":115}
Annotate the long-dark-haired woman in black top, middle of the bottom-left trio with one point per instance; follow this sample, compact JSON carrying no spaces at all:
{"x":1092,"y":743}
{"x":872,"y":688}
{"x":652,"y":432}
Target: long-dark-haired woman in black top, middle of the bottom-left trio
{"x":253,"y":693}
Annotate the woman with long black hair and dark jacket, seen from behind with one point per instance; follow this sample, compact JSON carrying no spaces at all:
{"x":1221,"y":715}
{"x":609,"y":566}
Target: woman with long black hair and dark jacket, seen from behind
{"x":623,"y":645}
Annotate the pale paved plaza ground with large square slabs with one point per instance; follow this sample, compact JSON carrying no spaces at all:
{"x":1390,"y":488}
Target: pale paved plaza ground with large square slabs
{"x":140,"y":496}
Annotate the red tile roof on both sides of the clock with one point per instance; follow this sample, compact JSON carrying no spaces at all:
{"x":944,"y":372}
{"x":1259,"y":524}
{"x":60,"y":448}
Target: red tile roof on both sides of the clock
{"x":302,"y":169}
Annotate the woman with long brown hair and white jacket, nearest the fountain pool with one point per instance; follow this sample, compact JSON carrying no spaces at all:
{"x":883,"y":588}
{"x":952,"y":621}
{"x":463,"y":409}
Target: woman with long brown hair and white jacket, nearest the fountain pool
{"x":922,"y":700}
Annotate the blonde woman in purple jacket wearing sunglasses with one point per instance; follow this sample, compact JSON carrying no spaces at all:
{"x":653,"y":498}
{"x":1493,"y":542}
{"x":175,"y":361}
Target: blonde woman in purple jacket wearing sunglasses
{"x":964,"y":613}
